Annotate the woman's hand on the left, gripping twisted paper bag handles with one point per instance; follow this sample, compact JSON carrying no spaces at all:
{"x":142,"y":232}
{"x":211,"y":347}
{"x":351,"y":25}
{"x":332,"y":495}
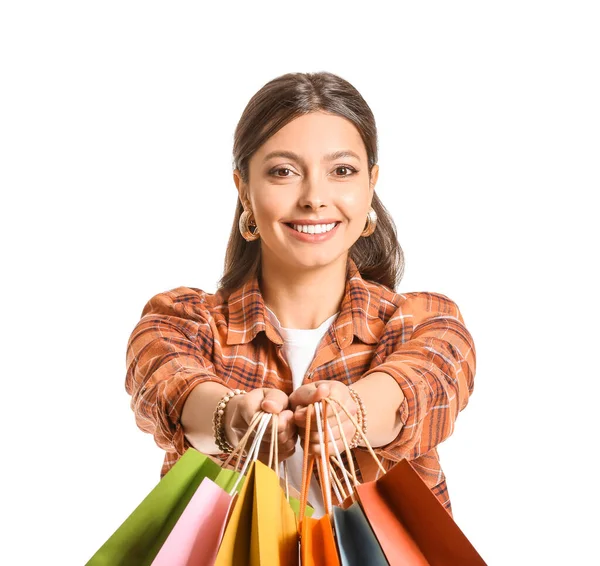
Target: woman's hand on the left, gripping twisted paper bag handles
{"x":240,"y":410}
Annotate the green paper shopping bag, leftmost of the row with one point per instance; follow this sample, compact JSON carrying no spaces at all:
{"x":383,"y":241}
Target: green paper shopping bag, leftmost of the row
{"x":140,"y":537}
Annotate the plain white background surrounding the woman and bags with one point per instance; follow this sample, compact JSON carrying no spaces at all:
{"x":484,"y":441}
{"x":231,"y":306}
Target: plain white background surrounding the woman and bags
{"x":116,"y":129}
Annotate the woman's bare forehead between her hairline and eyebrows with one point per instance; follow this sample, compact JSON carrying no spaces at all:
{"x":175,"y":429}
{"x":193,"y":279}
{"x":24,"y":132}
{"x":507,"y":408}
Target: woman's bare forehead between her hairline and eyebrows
{"x":313,"y":135}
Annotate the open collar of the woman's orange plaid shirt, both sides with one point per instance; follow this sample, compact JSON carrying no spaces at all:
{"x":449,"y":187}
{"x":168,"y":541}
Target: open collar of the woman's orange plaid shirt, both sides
{"x":359,"y":312}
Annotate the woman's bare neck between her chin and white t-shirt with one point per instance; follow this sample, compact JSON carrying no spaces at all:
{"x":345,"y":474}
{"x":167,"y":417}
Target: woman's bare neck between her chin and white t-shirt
{"x":303,"y":298}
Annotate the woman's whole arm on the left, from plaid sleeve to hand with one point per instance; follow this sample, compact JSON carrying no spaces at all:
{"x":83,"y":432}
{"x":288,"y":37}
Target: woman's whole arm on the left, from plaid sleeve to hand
{"x":173,"y":383}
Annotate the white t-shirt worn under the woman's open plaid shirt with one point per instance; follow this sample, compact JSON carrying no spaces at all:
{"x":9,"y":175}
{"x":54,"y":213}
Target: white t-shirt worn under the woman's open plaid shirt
{"x":299,"y":349}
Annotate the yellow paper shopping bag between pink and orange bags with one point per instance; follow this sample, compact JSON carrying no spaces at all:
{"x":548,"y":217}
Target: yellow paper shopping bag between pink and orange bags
{"x":261,"y":530}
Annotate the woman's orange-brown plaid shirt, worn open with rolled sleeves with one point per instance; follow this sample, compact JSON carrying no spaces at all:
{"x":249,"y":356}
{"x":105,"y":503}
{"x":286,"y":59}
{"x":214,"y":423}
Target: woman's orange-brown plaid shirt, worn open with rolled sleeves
{"x":187,"y":336}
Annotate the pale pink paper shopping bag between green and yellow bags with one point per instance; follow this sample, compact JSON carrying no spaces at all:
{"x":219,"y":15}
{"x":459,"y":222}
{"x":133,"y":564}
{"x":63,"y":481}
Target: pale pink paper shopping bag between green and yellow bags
{"x":196,"y":536}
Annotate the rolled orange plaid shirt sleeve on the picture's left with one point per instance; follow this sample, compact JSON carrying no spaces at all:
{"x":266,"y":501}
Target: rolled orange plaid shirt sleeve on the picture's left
{"x":168,"y":353}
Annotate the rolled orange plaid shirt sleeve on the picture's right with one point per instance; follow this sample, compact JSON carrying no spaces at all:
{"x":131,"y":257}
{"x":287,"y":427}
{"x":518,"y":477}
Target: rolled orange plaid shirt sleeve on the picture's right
{"x":434,"y":365}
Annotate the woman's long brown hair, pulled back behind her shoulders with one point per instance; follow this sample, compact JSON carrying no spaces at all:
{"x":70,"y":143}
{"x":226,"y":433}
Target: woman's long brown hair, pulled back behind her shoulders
{"x":379,"y":256}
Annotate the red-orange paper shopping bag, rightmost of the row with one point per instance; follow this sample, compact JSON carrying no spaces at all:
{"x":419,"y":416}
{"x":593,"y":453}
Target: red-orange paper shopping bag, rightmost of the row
{"x":410,"y":523}
